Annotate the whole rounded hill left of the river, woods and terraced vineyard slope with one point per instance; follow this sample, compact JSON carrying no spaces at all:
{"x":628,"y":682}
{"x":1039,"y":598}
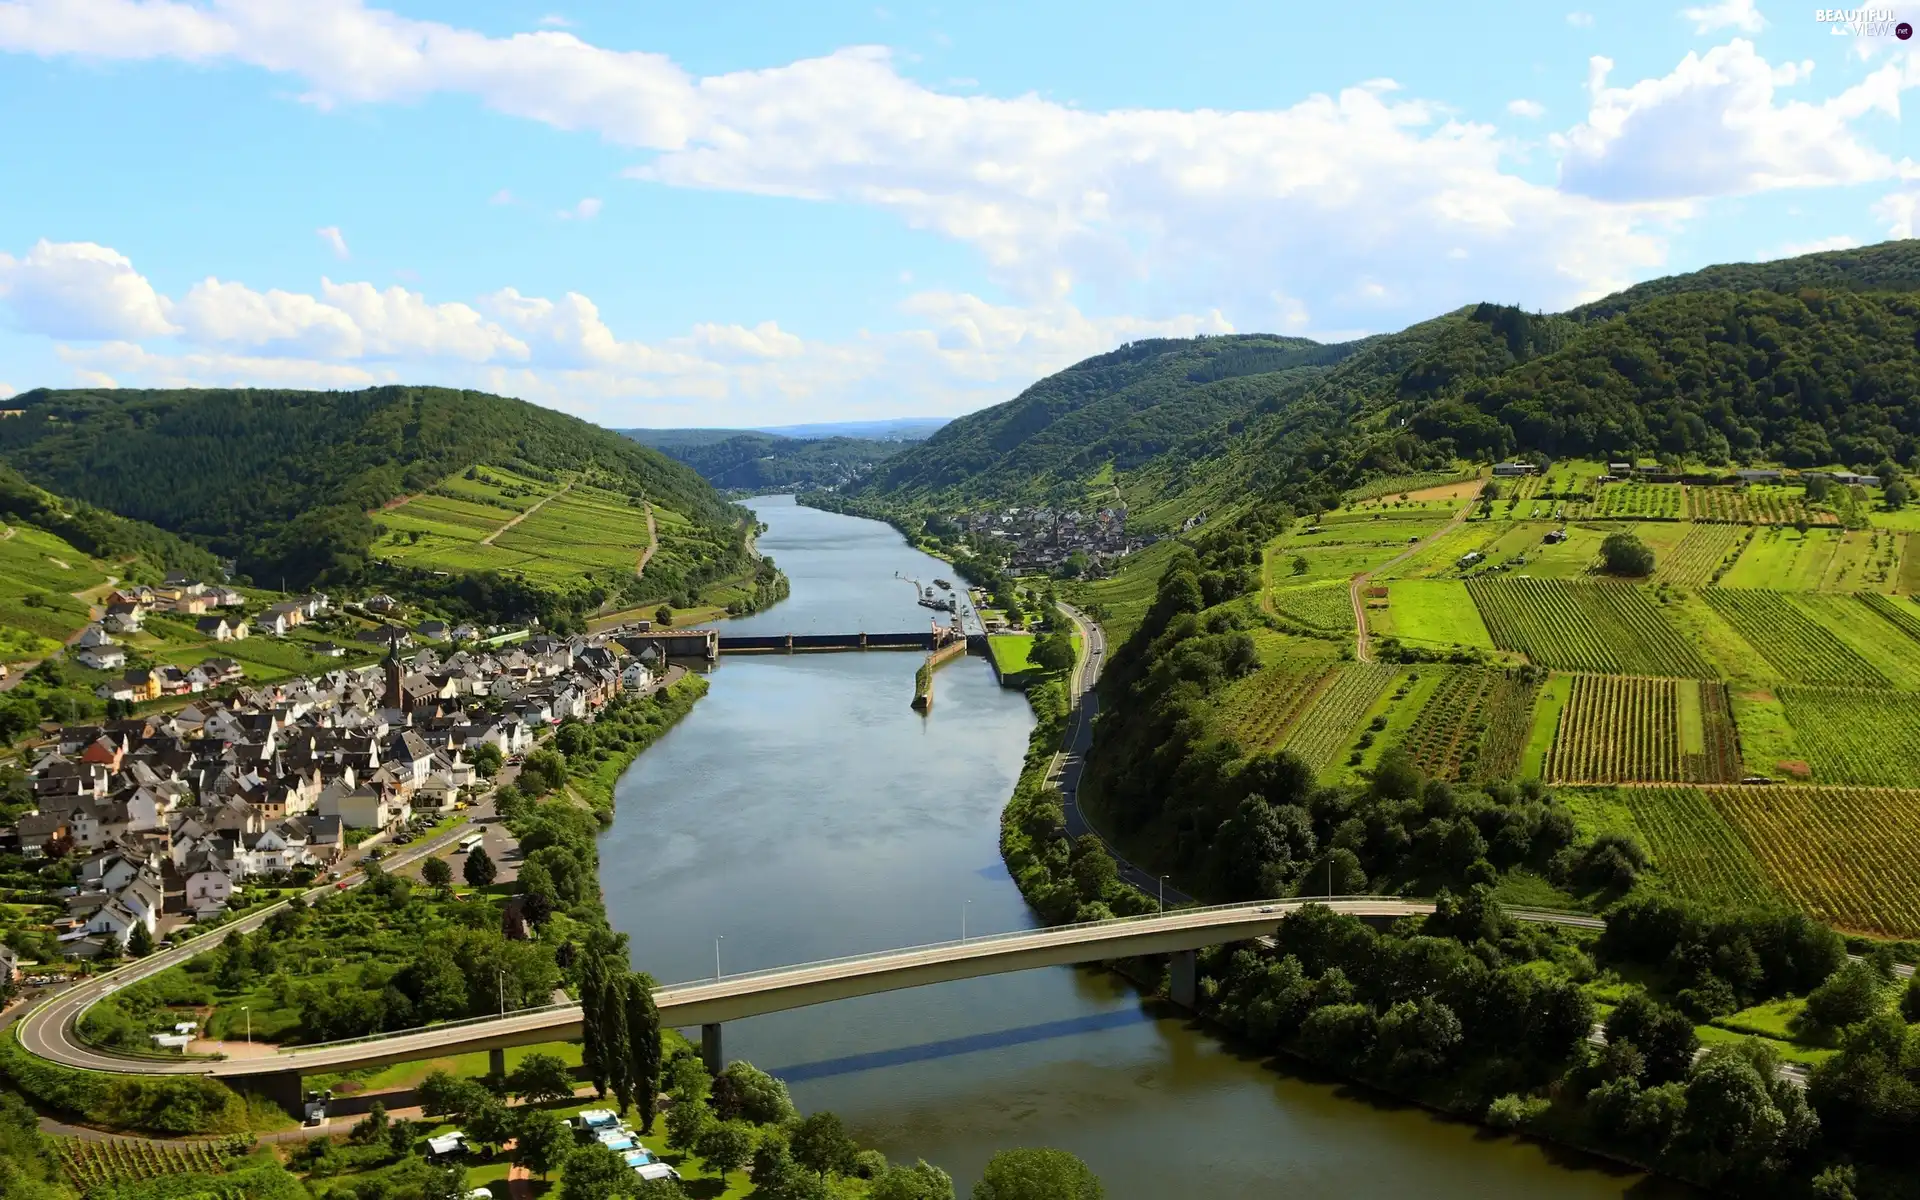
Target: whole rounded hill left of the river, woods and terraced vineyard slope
{"x":297,"y":487}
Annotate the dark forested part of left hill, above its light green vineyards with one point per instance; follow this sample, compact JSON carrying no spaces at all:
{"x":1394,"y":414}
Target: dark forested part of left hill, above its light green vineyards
{"x":285,"y":481}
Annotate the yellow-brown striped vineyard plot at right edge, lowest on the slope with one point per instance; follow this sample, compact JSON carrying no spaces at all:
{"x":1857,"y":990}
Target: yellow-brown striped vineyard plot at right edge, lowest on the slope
{"x":1846,"y":855}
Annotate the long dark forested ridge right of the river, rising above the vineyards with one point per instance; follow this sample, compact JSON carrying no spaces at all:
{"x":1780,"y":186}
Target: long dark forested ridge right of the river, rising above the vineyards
{"x":1800,"y":362}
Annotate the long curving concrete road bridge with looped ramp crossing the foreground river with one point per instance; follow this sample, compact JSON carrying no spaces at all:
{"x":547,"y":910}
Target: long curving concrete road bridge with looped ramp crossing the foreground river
{"x":51,"y":1028}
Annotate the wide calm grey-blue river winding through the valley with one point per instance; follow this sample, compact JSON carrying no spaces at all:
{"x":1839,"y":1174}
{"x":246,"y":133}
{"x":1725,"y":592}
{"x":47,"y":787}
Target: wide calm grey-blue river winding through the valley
{"x":804,"y":811}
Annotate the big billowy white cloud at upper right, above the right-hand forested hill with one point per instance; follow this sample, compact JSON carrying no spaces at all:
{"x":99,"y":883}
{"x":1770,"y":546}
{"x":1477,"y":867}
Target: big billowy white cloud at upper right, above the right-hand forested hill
{"x":1714,"y":128}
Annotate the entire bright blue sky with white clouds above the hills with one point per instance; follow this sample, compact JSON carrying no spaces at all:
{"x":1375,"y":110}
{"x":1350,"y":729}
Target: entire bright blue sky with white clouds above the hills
{"x":765,"y":214}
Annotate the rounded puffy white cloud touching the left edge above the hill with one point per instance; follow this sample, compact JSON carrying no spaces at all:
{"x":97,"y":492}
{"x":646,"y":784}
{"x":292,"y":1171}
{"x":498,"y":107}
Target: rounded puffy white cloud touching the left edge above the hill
{"x":82,"y":291}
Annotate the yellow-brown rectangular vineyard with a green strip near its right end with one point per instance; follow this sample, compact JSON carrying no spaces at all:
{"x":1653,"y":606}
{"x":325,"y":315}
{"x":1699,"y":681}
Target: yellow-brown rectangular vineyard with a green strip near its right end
{"x":1623,"y":731}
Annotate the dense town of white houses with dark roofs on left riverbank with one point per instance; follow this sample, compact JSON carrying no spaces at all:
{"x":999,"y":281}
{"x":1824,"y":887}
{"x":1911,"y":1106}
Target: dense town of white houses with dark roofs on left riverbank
{"x":170,"y":815}
